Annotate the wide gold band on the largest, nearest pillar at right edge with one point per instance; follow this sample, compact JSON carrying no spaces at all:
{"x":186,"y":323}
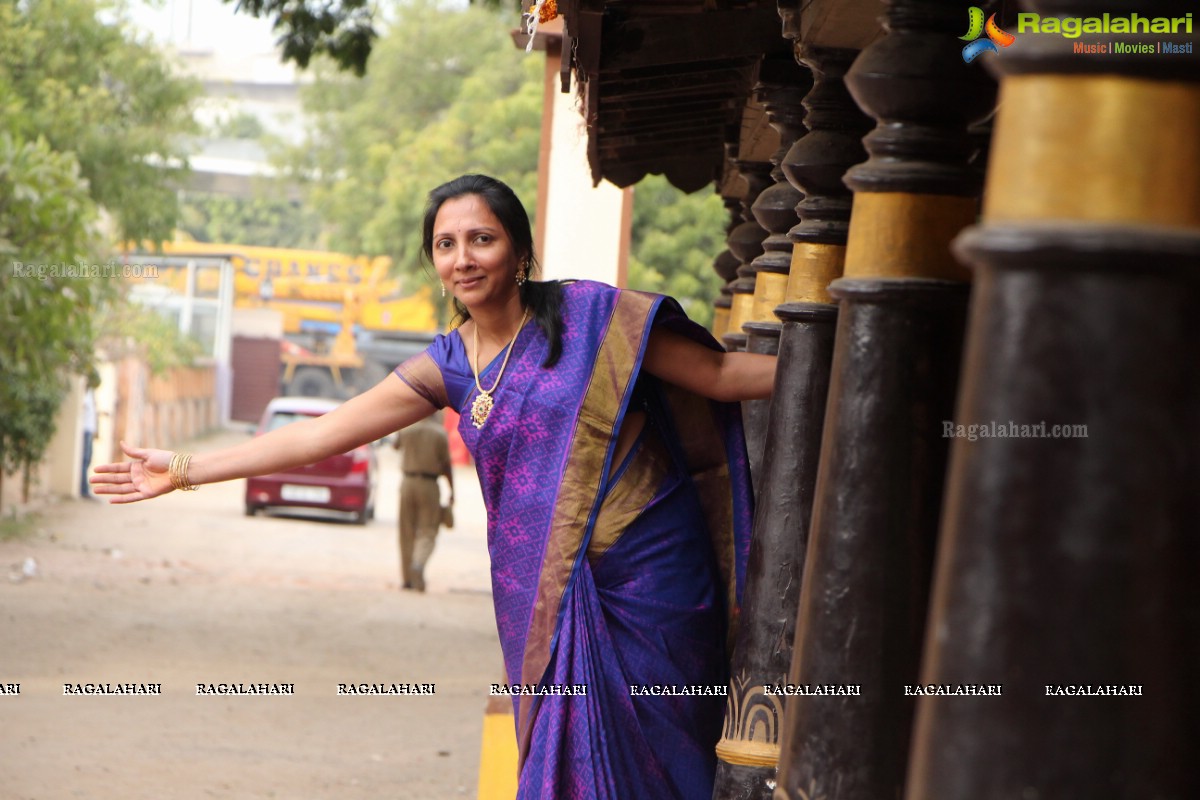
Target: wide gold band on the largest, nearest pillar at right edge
{"x":1132,"y":167}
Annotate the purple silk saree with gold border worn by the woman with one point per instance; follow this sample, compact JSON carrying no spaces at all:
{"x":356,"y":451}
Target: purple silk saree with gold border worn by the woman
{"x":615,"y":578}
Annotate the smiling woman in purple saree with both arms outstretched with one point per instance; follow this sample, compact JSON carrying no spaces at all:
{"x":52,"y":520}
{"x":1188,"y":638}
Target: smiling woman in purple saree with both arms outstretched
{"x":617,"y":491}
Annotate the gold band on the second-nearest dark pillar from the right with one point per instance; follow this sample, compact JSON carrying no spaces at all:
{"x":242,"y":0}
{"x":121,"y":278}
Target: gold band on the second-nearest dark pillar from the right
{"x":899,"y":236}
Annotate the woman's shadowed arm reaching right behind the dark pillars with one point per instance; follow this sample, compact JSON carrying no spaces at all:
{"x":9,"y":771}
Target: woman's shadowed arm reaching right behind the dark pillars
{"x":711,"y":374}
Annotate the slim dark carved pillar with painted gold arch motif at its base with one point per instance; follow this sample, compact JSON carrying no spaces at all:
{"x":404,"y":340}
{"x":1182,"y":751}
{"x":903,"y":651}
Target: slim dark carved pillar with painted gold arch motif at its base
{"x":749,"y":750}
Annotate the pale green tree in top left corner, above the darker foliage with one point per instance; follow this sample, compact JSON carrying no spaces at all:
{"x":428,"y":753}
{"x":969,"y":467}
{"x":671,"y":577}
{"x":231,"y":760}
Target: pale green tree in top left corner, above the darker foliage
{"x":93,"y":89}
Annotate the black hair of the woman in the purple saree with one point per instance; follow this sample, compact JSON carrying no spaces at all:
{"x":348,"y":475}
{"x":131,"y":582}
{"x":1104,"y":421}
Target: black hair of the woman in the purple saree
{"x":542,"y":298}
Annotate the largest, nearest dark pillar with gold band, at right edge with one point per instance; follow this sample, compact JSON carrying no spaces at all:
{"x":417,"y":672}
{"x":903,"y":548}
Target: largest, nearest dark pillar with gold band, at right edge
{"x":1072,"y":562}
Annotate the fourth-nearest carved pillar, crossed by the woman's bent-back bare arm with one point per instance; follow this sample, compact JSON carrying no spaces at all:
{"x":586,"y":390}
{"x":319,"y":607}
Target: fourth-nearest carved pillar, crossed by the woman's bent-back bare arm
{"x":783,"y":85}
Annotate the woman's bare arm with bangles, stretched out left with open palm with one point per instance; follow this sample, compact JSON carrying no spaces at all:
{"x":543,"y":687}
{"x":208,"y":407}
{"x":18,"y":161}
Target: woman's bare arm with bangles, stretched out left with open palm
{"x":387,"y":407}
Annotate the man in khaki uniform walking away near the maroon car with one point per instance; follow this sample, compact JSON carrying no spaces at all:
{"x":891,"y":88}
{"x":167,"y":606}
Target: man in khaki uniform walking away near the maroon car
{"x":425,"y":456}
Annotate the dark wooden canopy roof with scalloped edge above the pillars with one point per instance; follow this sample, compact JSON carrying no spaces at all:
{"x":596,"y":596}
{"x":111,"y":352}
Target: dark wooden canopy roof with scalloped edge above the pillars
{"x":668,"y":86}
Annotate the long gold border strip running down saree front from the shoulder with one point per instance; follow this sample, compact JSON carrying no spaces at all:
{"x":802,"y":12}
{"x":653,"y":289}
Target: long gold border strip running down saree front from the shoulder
{"x":583,"y":482}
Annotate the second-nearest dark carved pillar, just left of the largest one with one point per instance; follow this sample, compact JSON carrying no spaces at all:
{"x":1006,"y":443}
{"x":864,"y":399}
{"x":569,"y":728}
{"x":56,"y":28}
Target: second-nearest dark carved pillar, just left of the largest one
{"x":878,"y":500}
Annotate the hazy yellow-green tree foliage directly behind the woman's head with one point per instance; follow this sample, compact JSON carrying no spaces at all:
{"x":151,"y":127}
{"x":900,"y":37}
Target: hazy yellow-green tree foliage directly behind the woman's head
{"x":447,"y":94}
